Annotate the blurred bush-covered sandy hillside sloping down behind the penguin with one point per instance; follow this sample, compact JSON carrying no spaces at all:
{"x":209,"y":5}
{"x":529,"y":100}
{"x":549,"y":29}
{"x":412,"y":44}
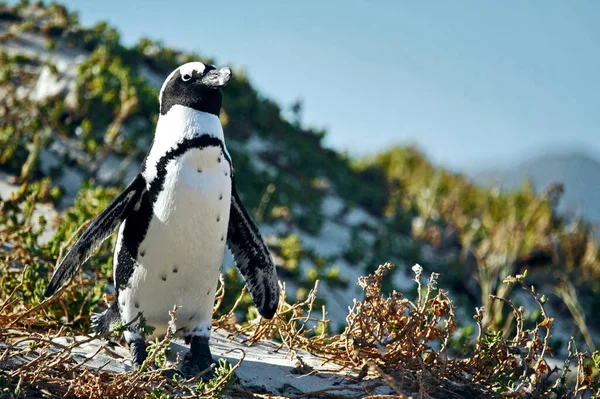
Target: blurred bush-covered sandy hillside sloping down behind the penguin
{"x":77,"y":114}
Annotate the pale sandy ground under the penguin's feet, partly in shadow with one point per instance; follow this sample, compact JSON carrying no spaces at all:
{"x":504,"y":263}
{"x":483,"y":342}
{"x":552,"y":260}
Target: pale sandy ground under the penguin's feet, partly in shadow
{"x":266,"y":367}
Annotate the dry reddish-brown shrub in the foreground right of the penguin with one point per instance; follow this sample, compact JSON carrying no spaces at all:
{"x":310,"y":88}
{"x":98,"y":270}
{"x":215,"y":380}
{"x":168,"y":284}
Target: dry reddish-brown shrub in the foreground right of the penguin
{"x":406,"y":344}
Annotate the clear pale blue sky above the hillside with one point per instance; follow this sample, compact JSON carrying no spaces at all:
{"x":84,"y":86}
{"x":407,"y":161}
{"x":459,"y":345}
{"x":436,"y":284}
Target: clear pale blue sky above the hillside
{"x":474,"y":84}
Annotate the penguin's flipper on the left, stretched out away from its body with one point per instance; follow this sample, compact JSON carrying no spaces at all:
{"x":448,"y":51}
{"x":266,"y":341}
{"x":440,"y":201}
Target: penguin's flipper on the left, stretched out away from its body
{"x":98,"y":231}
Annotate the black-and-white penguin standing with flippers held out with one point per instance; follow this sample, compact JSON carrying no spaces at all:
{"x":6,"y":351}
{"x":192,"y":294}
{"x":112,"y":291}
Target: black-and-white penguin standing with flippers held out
{"x":175,"y":220}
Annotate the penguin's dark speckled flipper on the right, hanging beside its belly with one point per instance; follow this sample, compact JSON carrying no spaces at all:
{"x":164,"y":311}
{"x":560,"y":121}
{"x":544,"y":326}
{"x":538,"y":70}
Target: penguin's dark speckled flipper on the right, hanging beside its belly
{"x":252,"y":257}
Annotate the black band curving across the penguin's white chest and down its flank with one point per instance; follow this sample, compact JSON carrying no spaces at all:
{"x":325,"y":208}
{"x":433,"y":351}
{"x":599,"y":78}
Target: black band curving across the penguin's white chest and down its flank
{"x":138,"y":221}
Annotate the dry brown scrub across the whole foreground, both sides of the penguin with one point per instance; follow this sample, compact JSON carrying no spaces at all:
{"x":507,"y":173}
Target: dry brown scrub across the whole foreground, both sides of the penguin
{"x":404,"y":343}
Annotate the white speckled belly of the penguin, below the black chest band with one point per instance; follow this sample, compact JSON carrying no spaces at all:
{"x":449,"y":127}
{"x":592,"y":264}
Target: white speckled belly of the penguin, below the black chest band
{"x":181,"y":256}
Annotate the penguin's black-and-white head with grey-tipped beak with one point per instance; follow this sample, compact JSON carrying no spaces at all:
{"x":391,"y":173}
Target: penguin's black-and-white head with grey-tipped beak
{"x":194,"y":85}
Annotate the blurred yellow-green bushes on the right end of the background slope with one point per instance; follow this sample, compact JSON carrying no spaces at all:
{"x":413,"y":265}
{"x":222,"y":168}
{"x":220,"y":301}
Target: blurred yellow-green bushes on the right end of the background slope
{"x":504,"y":231}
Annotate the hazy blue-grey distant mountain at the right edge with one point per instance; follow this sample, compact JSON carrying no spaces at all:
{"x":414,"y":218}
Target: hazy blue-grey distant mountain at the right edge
{"x":577,"y":170}
